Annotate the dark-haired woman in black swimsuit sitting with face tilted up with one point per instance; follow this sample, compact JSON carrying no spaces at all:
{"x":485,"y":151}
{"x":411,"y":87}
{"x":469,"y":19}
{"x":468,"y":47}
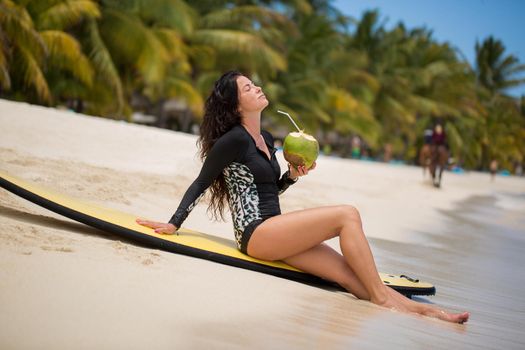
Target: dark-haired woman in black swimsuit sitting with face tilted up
{"x":240,"y":166}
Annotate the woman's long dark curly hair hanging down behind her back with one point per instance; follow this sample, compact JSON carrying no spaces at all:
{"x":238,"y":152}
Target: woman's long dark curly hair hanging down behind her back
{"x":220,"y":115}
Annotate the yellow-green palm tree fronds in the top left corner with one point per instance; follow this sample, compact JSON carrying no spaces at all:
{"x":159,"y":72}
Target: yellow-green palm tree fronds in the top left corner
{"x":36,"y":48}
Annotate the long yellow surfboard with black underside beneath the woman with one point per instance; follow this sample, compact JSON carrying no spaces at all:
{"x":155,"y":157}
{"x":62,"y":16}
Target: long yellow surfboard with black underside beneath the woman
{"x":188,"y":242}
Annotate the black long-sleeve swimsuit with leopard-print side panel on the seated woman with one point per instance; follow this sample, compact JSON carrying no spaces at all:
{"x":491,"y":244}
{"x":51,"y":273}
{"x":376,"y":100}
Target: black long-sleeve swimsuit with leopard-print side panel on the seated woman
{"x":253,"y":181}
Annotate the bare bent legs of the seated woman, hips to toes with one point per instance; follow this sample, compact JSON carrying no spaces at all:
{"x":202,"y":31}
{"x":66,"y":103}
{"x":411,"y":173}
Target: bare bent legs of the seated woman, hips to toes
{"x":292,"y":236}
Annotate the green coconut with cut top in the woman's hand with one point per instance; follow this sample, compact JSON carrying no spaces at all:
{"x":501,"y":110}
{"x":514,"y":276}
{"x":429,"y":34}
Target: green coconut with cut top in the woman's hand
{"x":300,"y":149}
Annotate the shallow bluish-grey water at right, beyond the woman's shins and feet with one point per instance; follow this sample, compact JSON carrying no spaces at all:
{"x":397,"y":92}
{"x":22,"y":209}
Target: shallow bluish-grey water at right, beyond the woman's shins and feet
{"x":477,"y":265}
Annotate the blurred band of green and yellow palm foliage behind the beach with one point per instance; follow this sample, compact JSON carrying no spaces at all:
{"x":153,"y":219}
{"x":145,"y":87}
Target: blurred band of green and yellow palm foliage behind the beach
{"x":340,"y":77}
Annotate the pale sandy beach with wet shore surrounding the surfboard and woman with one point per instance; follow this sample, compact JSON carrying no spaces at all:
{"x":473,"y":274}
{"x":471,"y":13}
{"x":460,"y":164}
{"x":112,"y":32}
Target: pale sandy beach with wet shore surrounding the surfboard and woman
{"x":65,"y":285}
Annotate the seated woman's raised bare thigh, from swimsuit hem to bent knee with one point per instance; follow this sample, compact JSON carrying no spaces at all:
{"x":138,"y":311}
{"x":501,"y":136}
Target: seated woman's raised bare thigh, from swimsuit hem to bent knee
{"x":289,"y":234}
